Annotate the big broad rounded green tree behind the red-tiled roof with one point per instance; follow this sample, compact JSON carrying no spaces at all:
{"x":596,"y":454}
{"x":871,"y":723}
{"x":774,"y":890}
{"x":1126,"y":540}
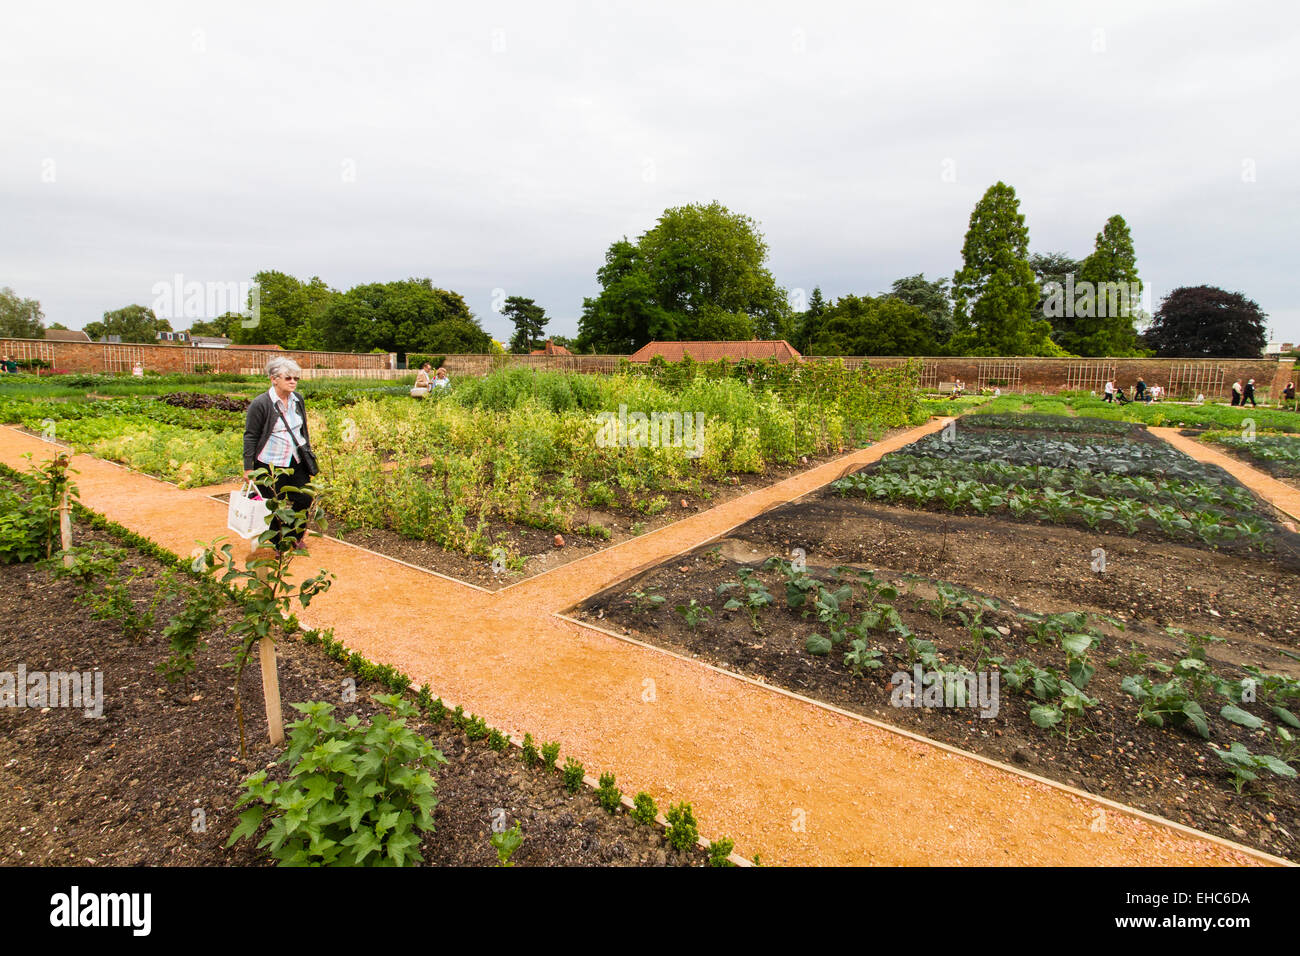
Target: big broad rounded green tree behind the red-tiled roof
{"x":699,"y":274}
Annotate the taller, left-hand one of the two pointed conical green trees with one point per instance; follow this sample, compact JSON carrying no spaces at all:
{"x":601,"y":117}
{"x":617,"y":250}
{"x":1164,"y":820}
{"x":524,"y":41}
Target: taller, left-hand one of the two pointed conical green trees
{"x":995,"y":292}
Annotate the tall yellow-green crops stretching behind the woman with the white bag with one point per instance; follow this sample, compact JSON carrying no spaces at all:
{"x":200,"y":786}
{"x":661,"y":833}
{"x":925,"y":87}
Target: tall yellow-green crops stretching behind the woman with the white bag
{"x":536,"y":449}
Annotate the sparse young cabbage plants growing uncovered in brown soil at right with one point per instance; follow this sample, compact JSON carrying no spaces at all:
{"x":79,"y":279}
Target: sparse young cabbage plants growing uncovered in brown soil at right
{"x":864,"y":622}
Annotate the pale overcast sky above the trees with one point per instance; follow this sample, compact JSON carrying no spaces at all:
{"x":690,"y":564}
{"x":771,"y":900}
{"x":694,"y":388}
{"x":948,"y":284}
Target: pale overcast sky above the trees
{"x":505,"y":148}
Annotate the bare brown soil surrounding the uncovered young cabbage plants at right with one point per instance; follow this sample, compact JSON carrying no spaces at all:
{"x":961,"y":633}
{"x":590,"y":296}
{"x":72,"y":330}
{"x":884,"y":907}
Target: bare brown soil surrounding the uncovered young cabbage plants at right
{"x":1247,"y":600}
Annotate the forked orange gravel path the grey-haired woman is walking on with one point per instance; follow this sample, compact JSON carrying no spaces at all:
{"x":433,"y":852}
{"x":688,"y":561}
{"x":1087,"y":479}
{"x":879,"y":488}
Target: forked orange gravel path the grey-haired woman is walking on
{"x":787,"y":778}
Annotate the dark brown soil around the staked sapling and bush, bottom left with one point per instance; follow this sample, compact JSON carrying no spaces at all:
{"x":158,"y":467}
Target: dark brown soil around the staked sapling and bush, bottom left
{"x":124,"y":790}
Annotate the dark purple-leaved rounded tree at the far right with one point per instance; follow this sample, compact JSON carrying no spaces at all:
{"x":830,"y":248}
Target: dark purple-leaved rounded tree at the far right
{"x":1207,"y":323}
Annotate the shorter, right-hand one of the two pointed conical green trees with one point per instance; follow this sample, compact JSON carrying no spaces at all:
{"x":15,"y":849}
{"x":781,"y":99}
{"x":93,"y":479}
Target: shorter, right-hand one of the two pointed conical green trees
{"x":1108,"y":300}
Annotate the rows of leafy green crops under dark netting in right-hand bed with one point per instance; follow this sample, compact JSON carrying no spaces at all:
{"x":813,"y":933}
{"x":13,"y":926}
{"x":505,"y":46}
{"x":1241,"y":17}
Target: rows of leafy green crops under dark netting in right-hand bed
{"x":1069,"y":471}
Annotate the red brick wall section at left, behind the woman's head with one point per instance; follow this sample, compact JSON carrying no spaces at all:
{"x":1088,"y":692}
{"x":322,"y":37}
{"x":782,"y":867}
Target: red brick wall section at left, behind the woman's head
{"x":94,"y":357}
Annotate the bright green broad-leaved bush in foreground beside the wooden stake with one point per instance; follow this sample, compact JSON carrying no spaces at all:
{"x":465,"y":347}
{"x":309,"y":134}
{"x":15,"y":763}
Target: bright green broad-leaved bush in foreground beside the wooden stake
{"x":358,"y":794}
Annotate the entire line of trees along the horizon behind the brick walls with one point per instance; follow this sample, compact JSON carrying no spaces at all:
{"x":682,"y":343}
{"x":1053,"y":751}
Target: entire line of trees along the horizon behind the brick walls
{"x":701,"y":274}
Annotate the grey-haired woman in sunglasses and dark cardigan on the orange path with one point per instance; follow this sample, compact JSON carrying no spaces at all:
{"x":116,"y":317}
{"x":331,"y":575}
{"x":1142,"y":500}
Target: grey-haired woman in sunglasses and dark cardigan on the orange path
{"x":276,"y":435}
